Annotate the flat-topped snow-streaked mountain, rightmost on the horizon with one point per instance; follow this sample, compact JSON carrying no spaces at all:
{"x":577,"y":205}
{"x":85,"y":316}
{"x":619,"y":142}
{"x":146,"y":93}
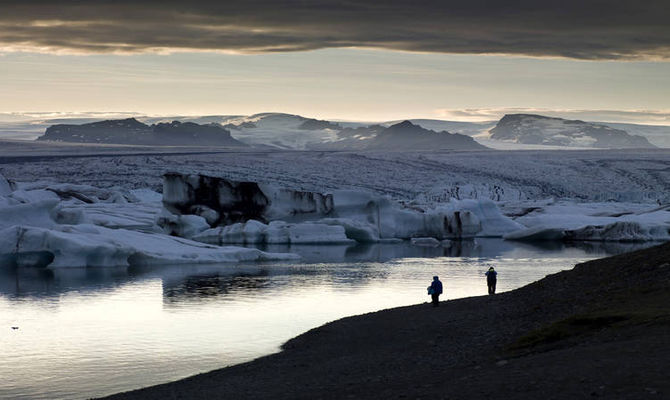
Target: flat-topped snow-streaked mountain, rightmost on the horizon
{"x":538,"y":129}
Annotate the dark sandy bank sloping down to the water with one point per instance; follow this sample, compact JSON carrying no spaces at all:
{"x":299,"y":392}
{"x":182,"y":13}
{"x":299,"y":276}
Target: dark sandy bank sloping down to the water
{"x":601,"y":329}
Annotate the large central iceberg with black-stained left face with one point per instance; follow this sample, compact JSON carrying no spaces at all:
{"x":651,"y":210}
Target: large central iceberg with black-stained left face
{"x":359,"y":215}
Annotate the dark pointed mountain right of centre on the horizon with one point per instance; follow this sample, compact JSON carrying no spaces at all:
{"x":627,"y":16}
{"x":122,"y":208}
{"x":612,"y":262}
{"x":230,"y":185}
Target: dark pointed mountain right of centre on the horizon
{"x":402,"y":136}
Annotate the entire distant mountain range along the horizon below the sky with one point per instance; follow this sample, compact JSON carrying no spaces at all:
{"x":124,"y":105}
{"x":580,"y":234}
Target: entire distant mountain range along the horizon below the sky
{"x":290,"y":131}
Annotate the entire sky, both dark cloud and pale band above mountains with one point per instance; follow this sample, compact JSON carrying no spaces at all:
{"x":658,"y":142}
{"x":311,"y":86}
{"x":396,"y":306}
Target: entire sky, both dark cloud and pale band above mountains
{"x":365,"y":60}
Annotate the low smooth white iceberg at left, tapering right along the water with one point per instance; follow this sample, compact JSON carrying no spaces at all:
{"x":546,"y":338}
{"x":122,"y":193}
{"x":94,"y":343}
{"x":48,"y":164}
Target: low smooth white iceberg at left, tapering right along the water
{"x":94,"y":246}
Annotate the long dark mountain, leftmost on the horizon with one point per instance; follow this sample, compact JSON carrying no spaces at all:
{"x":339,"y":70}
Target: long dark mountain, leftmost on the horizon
{"x":132,"y":131}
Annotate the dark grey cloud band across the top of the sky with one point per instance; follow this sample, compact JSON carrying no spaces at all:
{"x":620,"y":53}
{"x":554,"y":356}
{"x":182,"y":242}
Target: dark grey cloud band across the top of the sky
{"x":586,"y":29}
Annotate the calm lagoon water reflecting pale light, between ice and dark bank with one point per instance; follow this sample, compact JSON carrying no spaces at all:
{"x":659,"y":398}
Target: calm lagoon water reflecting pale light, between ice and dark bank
{"x":91,"y":332}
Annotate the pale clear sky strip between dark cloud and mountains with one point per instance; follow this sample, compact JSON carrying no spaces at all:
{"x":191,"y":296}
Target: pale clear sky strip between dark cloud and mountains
{"x":336,"y":84}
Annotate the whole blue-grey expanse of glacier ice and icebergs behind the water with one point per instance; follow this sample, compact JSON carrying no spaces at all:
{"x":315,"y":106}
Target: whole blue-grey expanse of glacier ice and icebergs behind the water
{"x":315,"y":197}
